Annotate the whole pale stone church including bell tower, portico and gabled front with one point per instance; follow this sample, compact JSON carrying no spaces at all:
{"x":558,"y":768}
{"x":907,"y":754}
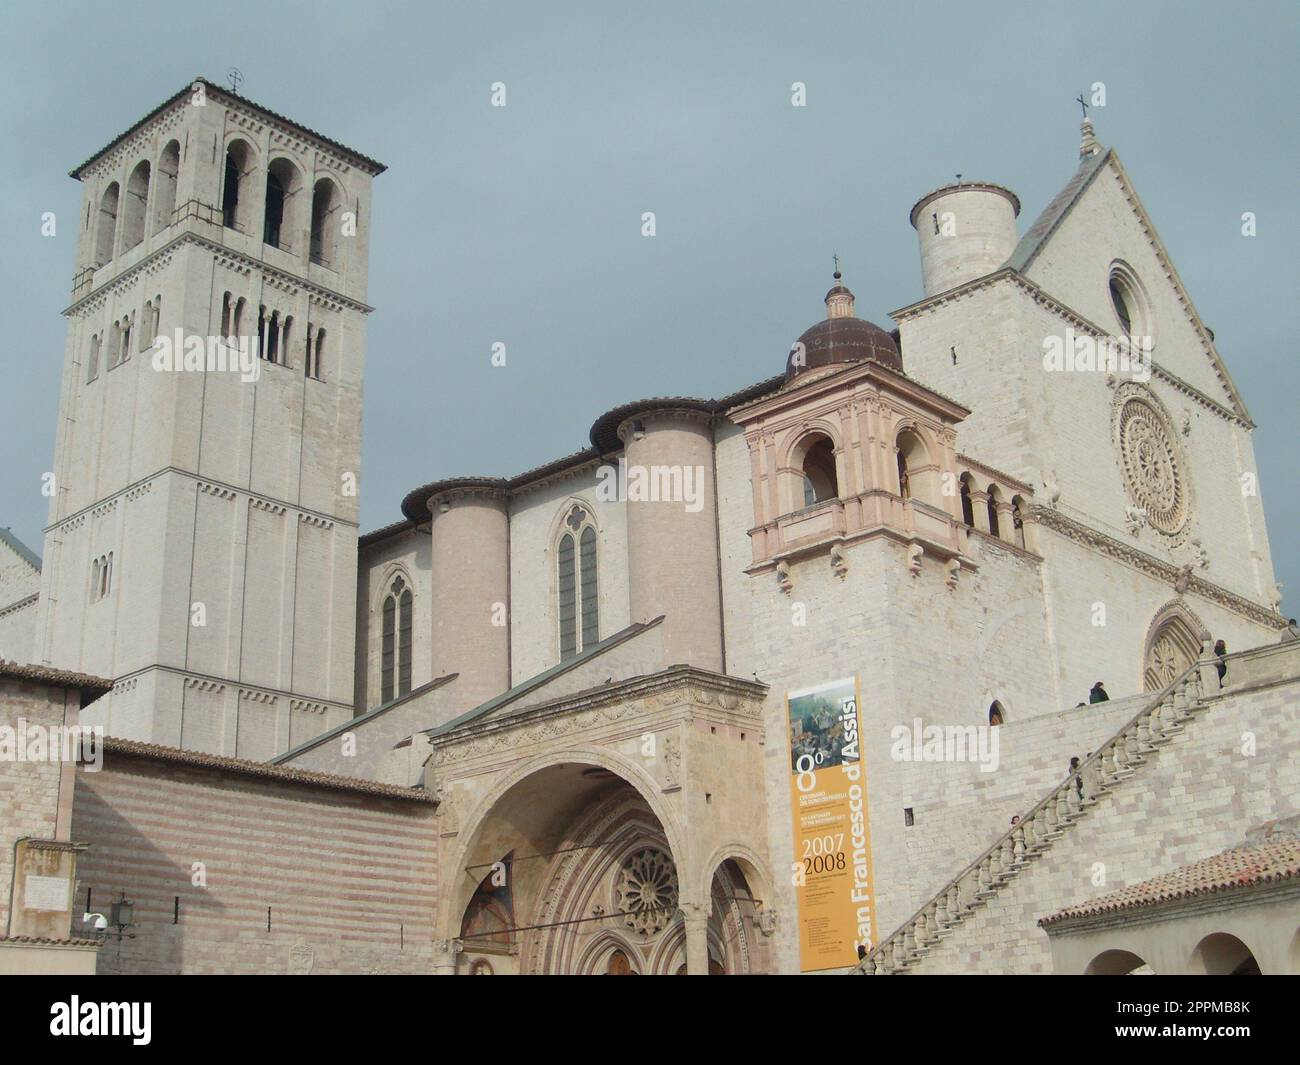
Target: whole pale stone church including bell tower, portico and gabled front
{"x":738,"y":689}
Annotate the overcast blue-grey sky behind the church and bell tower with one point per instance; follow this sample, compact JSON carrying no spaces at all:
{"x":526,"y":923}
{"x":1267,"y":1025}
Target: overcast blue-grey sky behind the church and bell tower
{"x":522,"y":226}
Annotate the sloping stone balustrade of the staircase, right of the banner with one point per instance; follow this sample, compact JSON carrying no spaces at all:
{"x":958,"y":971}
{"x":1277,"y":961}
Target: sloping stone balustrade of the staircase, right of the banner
{"x":1159,"y":722}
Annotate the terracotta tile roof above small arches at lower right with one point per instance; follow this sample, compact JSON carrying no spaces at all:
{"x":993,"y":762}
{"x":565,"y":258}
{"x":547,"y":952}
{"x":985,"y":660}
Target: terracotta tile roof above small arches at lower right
{"x":1242,"y":867}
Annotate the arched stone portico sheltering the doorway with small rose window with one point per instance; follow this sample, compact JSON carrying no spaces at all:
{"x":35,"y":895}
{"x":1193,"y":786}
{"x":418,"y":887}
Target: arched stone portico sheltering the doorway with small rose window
{"x":554,"y":855}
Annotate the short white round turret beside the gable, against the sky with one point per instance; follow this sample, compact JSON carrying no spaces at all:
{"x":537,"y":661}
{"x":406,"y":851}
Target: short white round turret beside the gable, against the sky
{"x":967,"y":231}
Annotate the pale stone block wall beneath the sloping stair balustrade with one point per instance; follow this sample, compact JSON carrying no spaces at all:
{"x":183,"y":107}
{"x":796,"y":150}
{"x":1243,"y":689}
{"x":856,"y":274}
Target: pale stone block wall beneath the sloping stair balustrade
{"x":1233,"y":768}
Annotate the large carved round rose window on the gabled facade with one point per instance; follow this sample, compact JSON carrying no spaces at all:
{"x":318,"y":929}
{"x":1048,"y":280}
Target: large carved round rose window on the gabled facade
{"x":1152,"y":462}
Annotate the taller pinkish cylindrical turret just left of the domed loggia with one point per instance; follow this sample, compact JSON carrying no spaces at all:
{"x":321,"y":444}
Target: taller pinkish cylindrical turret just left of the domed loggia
{"x":673,"y":531}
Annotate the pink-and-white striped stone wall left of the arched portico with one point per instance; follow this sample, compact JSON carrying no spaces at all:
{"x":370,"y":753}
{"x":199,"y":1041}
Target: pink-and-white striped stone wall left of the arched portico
{"x":346,"y":869}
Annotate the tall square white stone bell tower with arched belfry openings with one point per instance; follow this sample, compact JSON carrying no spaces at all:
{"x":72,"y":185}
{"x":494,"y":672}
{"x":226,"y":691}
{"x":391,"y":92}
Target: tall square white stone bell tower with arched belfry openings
{"x":202,"y":539}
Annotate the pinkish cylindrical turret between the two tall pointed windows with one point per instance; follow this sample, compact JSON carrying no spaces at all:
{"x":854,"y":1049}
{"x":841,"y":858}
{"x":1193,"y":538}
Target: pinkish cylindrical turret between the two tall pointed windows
{"x":470,"y":582}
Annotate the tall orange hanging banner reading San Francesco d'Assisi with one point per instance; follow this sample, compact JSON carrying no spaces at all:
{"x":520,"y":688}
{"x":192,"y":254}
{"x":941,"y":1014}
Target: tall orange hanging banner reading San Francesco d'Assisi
{"x":835,"y":885}
